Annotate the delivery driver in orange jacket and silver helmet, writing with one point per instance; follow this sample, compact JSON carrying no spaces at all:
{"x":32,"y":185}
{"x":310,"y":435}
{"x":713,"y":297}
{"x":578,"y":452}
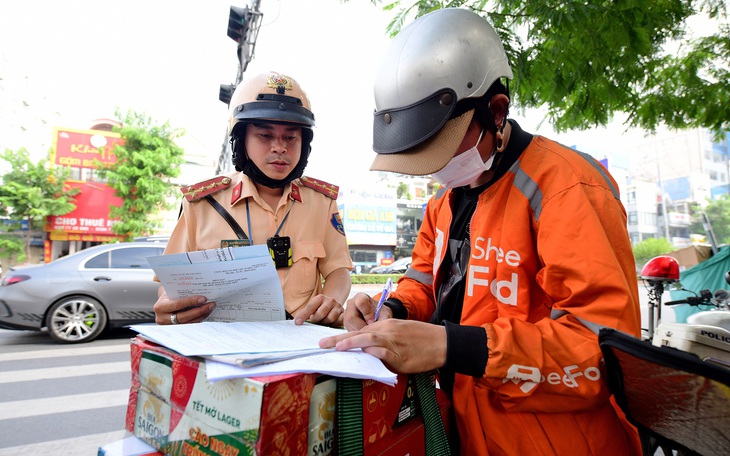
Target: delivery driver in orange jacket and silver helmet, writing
{"x":521,"y":257}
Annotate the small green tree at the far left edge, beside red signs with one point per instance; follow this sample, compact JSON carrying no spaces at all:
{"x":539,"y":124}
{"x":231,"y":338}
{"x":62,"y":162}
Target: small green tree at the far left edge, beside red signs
{"x":29,"y":193}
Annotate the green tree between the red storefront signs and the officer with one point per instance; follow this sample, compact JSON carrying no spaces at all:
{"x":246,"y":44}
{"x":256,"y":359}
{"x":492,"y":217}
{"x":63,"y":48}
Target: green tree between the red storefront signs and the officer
{"x":146,"y":161}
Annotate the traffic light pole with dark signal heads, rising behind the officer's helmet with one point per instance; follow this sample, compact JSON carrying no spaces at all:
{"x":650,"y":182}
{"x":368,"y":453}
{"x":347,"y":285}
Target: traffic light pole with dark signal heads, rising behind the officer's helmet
{"x":243,"y":28}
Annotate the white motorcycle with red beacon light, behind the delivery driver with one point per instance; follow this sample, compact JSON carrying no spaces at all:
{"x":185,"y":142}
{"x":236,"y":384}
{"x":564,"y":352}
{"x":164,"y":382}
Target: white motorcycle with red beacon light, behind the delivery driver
{"x":706,"y":333}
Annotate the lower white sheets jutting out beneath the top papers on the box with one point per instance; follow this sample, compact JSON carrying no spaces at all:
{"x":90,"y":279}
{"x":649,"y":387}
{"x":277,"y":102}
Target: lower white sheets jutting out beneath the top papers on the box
{"x":352,"y":364}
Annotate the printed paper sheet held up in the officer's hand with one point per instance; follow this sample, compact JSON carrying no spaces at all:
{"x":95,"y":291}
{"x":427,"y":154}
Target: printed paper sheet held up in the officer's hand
{"x":241,"y":280}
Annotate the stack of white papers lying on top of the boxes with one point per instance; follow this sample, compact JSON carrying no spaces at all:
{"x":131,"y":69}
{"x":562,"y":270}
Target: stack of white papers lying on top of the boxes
{"x":268,"y":348}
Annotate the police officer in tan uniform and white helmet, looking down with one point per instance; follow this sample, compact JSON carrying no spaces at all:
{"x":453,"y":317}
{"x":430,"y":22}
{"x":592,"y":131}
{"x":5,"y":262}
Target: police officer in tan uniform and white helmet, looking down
{"x":271,"y":131}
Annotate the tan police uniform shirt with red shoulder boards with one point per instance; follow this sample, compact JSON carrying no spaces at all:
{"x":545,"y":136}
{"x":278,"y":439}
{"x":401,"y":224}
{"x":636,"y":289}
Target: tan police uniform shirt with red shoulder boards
{"x":314,"y":225}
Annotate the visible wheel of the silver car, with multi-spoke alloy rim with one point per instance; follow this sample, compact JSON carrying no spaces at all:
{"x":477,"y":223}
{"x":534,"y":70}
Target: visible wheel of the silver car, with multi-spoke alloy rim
{"x":76,"y":319}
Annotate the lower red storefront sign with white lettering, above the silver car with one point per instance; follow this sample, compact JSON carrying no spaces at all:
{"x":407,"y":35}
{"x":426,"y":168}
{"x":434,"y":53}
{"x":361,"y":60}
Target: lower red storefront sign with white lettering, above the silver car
{"x":91,"y":216}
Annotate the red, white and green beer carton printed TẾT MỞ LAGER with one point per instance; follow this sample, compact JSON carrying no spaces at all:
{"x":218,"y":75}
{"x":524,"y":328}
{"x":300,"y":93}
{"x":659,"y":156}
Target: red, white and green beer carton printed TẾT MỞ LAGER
{"x":174,"y":408}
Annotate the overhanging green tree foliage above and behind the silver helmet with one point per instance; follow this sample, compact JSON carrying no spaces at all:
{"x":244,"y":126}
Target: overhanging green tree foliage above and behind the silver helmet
{"x":587,"y":60}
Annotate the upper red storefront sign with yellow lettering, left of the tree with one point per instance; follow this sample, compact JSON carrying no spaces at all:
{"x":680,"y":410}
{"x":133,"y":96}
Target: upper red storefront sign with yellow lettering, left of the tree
{"x":79,"y":148}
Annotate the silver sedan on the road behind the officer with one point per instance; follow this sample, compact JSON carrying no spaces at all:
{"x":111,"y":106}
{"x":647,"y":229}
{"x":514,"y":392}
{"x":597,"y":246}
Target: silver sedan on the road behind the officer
{"x":79,"y":296}
